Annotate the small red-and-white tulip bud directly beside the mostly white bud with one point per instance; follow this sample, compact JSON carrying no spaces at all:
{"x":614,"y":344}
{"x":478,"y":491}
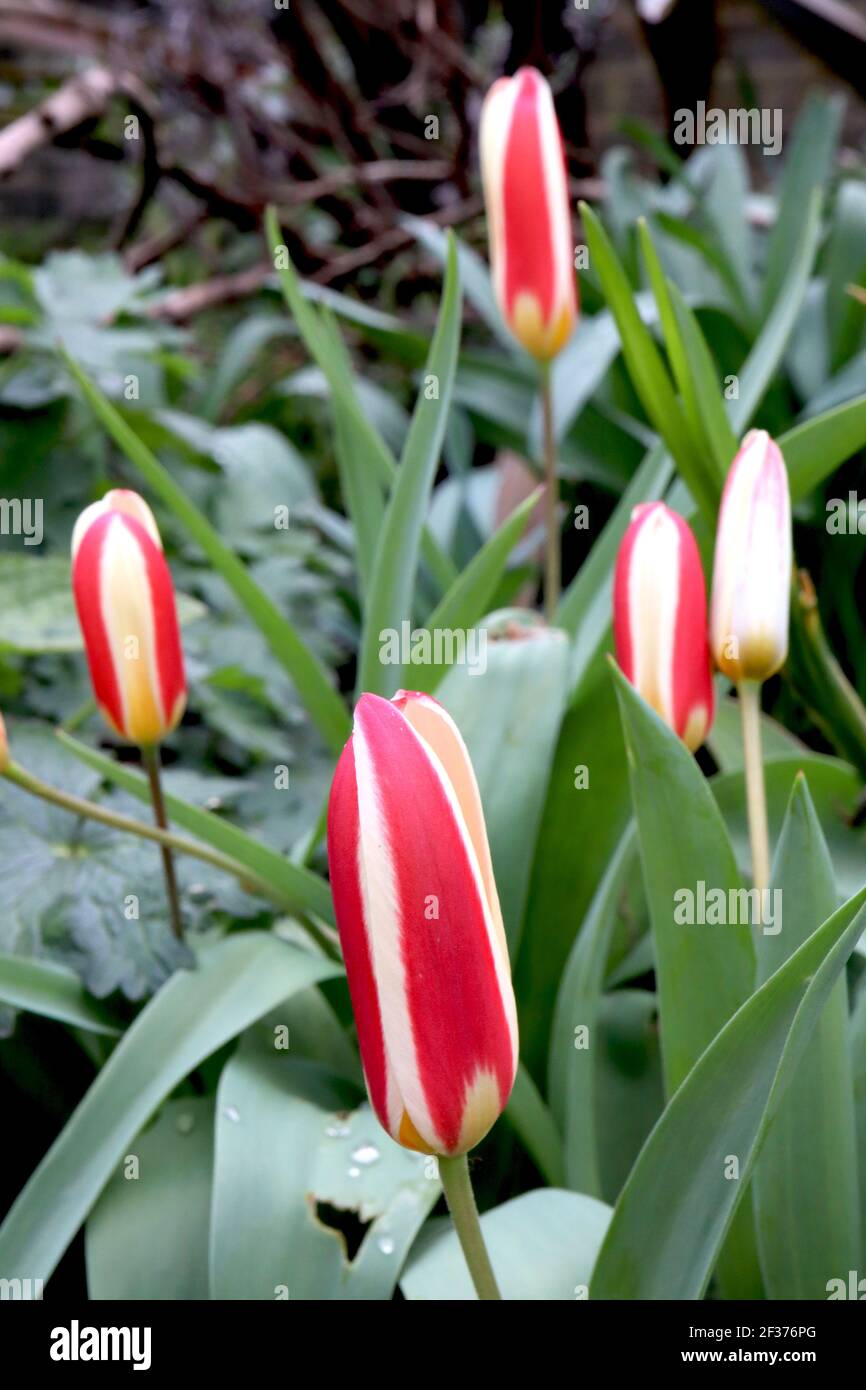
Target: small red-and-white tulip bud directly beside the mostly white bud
{"x":660,"y":621}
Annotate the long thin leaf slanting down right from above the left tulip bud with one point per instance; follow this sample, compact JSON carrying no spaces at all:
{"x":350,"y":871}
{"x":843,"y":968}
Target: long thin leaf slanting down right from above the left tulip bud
{"x":322,"y":701}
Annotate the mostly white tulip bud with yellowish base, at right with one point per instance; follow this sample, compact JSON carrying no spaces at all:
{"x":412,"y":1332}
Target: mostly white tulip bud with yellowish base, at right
{"x":753,"y":568}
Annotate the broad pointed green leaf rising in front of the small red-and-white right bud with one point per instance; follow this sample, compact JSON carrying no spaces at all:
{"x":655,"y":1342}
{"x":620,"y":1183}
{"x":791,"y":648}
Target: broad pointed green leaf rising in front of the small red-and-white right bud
{"x":704,"y":971}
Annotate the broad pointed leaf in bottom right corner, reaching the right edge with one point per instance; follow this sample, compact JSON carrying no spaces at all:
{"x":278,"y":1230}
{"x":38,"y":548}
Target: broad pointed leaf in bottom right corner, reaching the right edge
{"x":672,"y":1217}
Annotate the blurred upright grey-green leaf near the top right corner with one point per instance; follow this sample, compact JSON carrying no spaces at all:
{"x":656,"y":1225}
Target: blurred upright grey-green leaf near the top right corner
{"x":807,"y":169}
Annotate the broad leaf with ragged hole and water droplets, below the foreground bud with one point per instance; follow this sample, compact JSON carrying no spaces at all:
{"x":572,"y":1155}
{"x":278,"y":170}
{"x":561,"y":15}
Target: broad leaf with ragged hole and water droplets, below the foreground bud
{"x":268,"y":1238}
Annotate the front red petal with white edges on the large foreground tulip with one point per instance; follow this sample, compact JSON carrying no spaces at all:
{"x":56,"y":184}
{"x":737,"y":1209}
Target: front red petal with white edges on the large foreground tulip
{"x":436,"y":956}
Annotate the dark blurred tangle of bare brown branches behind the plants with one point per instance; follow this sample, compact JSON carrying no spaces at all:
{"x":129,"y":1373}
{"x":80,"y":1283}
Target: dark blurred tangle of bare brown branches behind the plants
{"x":350,"y":113}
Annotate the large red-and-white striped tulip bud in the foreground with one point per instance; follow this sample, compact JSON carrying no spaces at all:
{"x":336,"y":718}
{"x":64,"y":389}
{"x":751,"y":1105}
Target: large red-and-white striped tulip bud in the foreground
{"x":420,"y":926}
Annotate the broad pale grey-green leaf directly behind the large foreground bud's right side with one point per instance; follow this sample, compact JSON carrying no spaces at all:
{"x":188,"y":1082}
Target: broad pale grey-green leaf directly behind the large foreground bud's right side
{"x":511,"y":710}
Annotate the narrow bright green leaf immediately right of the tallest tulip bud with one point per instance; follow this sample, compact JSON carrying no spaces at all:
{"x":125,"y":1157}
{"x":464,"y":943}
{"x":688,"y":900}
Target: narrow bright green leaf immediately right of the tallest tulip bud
{"x":644,"y":362}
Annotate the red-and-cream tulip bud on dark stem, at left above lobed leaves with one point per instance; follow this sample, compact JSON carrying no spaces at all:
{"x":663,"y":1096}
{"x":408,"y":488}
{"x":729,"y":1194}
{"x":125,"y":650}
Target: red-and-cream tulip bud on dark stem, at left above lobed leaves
{"x":127,"y":612}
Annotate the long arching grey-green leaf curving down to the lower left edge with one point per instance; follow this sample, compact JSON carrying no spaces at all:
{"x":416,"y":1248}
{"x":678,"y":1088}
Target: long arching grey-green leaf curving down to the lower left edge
{"x":194,"y":1015}
